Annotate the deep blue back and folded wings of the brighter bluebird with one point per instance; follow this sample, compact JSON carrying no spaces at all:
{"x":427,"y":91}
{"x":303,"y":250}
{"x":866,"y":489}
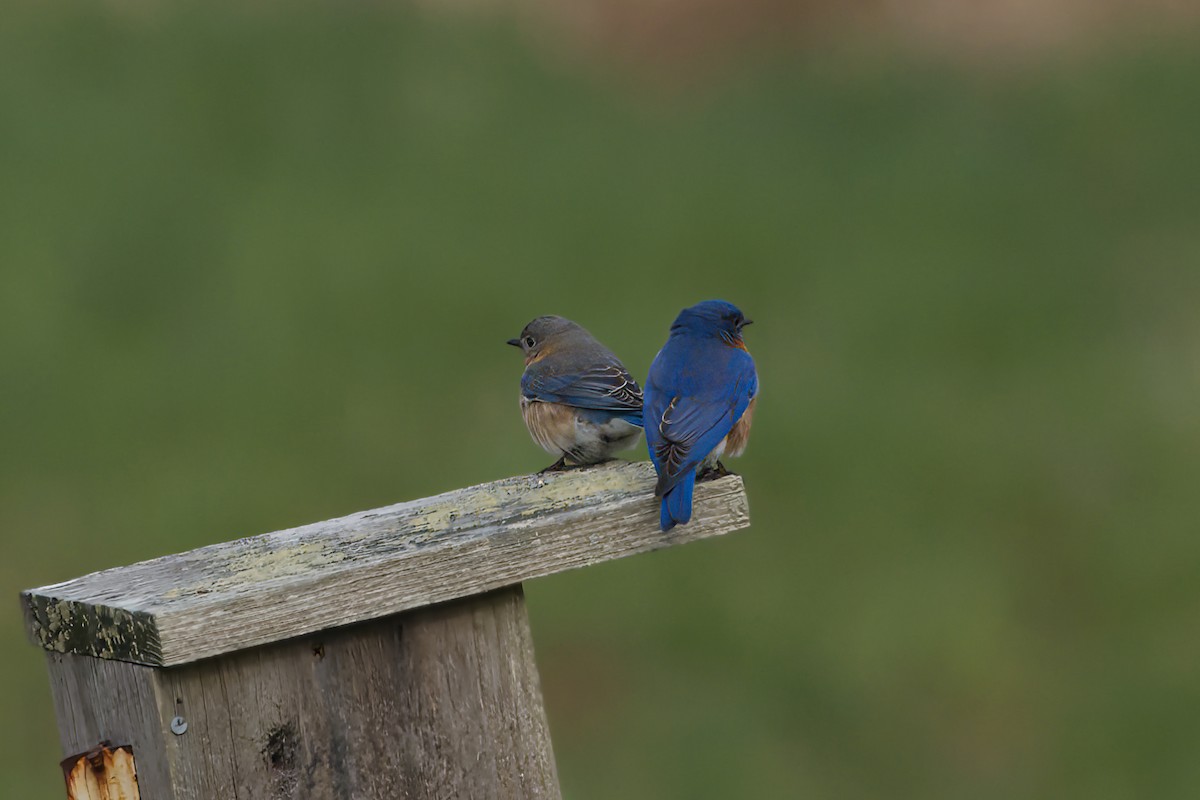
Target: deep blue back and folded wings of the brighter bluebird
{"x":689,"y":412}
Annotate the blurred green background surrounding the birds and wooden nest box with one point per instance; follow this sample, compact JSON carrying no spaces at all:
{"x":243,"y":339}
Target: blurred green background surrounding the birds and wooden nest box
{"x":257,"y":268}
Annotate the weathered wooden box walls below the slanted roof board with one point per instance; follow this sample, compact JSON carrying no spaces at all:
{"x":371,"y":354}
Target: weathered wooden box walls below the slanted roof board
{"x":440,"y":702}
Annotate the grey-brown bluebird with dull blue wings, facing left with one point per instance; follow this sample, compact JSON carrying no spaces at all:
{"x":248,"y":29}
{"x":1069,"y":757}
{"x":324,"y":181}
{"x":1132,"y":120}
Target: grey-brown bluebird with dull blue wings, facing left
{"x":577,"y":398}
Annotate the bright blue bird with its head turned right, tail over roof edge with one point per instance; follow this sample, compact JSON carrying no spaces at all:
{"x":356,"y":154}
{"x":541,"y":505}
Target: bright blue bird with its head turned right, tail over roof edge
{"x":700,"y":400}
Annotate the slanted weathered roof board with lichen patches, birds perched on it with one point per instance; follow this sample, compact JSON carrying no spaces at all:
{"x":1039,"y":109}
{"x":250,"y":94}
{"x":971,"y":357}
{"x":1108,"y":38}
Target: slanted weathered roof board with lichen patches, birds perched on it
{"x":269,"y":588}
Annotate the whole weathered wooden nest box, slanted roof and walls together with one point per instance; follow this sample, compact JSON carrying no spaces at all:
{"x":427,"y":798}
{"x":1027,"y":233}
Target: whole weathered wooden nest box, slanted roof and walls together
{"x":376,"y":657}
